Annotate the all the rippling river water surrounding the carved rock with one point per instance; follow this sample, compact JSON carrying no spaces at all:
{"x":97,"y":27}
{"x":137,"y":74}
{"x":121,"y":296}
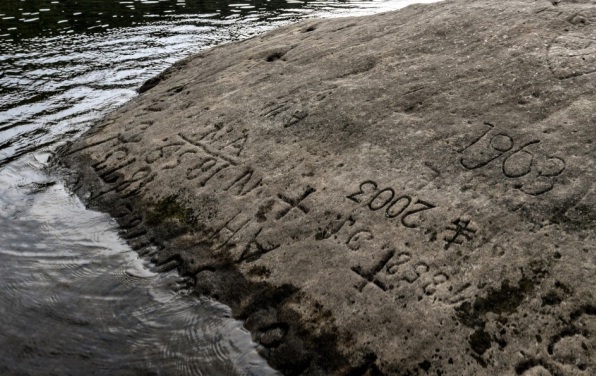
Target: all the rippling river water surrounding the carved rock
{"x":74,"y":299}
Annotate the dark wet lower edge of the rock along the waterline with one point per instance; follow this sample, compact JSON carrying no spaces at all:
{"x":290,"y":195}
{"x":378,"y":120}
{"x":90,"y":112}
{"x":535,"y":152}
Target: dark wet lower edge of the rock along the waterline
{"x":288,"y":343}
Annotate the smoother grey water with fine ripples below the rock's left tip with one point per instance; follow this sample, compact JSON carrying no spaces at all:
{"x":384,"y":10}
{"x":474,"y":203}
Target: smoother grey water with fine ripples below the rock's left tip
{"x":76,"y":300}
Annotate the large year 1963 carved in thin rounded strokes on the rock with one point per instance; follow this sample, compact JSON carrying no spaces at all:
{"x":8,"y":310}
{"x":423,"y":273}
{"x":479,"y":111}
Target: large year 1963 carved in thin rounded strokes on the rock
{"x":536,"y":172}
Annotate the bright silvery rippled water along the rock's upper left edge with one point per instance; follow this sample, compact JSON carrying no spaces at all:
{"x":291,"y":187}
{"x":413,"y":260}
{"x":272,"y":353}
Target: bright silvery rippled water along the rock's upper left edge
{"x":53,"y":88}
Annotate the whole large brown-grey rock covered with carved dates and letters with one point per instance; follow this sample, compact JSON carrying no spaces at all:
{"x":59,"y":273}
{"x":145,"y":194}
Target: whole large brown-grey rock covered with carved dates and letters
{"x":406,"y":193}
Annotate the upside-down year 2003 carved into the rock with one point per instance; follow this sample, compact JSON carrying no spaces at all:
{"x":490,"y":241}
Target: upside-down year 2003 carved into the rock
{"x":400,"y":207}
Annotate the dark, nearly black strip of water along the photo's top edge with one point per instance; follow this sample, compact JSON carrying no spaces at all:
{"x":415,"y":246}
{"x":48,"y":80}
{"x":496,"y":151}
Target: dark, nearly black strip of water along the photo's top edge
{"x":25,"y":19}
